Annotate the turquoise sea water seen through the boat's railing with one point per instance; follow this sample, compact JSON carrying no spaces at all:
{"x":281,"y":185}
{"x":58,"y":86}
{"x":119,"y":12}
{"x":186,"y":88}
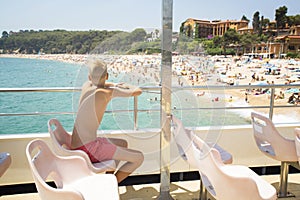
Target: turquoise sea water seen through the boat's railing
{"x":40,"y":73}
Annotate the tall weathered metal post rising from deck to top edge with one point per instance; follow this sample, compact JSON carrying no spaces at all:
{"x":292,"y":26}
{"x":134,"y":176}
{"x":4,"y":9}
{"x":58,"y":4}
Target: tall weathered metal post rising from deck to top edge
{"x":166,"y":85}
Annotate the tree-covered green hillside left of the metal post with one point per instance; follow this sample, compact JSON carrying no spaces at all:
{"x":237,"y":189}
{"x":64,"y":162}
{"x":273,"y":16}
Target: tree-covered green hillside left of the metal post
{"x":73,"y":42}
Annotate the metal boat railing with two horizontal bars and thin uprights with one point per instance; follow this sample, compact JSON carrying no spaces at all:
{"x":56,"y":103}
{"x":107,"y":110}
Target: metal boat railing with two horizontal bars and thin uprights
{"x":157,"y":88}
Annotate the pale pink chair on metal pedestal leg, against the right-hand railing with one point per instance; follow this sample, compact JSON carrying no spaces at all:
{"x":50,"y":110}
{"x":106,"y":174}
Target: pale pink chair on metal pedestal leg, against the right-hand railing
{"x":274,"y":145}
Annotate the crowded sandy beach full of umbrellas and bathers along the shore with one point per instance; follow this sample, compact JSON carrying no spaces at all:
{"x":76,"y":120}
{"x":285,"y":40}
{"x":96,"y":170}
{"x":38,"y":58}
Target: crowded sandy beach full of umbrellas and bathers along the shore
{"x":217,"y":70}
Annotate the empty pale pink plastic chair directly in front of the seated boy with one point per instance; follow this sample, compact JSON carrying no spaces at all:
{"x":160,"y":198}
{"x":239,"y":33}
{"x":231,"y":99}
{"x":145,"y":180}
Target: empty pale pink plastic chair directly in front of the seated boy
{"x":73,"y":179}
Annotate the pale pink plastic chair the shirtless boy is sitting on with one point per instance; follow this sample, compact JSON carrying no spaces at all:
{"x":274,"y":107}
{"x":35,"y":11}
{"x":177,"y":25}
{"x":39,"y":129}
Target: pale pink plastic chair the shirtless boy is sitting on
{"x":61,"y":141}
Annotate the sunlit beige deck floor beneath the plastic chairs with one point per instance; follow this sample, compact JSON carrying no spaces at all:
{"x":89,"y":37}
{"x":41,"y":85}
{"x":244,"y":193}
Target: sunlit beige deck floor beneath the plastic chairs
{"x":184,"y":190}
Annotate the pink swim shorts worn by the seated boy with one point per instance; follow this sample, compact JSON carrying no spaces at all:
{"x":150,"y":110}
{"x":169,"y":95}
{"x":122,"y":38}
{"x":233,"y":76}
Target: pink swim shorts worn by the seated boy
{"x":99,"y":150}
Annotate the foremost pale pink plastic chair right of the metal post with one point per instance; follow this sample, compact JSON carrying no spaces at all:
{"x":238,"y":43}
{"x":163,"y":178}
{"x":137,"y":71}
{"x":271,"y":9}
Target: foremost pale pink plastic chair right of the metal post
{"x":227,"y":181}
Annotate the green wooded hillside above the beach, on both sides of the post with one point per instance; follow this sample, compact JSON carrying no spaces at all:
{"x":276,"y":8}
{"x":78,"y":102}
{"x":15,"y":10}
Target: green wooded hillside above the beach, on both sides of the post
{"x":119,"y":42}
